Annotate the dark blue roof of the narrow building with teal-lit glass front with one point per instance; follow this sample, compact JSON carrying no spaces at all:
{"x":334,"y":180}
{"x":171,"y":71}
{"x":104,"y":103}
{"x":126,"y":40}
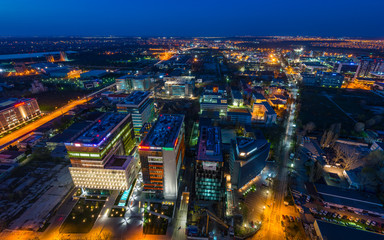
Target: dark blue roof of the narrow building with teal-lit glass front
{"x":209,"y":147}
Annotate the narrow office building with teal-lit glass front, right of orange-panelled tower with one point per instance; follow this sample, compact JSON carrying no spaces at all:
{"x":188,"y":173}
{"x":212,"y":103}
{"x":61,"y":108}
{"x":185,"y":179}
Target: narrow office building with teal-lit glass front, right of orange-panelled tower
{"x":209,"y":174}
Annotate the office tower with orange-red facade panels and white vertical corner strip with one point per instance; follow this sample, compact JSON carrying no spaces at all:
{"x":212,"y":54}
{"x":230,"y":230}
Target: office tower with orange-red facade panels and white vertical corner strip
{"x":161,"y":155}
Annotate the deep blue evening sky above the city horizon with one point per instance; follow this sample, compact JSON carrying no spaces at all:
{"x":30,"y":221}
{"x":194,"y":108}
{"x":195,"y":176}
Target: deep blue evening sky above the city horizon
{"x":191,"y":18}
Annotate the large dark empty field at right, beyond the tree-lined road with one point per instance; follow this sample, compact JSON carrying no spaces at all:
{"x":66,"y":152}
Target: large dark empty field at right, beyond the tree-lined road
{"x":325,"y":107}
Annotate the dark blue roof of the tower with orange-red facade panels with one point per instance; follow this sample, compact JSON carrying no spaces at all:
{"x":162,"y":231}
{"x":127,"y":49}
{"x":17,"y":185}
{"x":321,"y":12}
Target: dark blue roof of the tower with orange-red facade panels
{"x":164,"y":132}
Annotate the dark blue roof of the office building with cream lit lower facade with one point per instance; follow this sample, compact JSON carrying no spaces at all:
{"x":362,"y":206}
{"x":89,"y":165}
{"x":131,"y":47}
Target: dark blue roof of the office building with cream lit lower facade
{"x":100,"y":129}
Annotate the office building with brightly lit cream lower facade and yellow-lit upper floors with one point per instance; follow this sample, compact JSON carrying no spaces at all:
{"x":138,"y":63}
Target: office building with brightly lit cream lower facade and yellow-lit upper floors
{"x":103,"y":154}
